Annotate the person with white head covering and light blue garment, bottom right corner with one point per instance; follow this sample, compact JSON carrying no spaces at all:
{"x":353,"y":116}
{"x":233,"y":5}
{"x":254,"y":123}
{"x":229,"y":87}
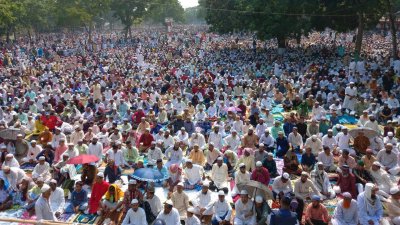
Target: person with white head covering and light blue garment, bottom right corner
{"x":370,"y":209}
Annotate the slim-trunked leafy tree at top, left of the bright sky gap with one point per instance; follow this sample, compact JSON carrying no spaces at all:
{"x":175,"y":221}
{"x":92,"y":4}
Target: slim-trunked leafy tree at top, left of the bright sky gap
{"x":129,"y":11}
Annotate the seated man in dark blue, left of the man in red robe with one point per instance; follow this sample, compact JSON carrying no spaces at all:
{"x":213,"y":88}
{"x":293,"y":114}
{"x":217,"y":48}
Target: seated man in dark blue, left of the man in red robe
{"x":79,"y":199}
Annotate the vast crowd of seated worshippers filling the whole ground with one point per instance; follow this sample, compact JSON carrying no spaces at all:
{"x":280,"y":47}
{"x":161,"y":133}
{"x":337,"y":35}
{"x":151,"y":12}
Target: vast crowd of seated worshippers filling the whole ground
{"x":210,"y":113}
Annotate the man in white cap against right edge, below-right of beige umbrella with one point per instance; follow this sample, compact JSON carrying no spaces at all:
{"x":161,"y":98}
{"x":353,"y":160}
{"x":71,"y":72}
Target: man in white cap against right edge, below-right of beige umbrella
{"x":388,"y":159}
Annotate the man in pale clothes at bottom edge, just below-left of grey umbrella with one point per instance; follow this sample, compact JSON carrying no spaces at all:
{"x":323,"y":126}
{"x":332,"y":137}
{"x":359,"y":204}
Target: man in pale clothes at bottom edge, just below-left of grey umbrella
{"x":245,"y":212}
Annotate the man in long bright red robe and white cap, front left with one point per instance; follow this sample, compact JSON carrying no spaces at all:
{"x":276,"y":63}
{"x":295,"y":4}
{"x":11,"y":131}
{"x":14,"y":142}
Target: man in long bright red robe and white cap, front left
{"x":100,"y":187}
